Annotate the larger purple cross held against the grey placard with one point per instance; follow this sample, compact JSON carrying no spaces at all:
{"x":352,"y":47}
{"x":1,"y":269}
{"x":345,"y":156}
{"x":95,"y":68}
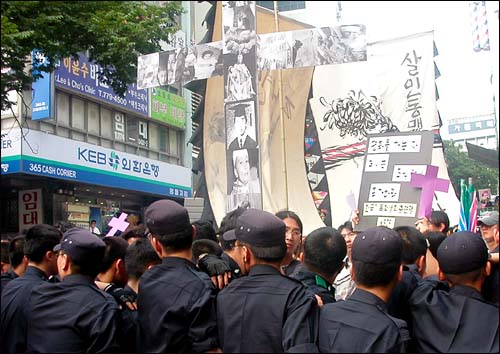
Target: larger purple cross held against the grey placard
{"x":429,"y":183}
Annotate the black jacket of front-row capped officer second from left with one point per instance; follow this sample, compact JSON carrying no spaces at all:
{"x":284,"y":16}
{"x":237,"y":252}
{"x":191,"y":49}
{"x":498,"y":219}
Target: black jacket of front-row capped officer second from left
{"x":176,"y":307}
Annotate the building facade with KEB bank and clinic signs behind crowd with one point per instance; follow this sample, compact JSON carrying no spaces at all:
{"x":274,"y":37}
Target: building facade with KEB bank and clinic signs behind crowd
{"x":79,"y":152}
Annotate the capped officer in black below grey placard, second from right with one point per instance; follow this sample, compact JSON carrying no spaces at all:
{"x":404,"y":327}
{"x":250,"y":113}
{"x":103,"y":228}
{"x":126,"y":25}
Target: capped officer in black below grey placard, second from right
{"x":361,"y":323}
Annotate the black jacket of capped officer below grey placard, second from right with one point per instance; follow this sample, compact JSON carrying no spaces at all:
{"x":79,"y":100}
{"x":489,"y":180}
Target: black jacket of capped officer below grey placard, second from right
{"x":361,"y":324}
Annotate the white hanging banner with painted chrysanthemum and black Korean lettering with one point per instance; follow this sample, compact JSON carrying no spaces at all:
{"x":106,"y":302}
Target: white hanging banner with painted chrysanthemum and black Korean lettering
{"x":393,"y":91}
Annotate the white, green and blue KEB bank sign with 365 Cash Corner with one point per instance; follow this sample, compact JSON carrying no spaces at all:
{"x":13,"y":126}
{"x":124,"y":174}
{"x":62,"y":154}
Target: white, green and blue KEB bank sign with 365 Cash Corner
{"x":57,"y":157}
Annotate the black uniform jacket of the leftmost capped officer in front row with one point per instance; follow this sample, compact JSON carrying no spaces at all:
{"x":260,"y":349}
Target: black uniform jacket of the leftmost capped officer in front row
{"x":72,"y":316}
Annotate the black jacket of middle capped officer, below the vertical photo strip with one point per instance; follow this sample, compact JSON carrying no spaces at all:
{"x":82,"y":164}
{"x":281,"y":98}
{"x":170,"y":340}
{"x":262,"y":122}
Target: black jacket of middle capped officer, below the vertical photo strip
{"x":266,"y":312}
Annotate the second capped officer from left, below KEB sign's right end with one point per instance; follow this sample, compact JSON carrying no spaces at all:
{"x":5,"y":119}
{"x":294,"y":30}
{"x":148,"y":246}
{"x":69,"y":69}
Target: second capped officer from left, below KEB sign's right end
{"x":176,"y":302}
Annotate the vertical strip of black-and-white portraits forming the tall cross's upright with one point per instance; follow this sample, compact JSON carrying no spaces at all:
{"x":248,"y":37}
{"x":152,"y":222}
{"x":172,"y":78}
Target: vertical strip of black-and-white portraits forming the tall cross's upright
{"x":240,"y":105}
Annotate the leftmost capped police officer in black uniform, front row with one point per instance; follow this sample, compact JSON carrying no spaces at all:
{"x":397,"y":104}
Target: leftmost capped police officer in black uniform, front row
{"x":74,"y":315}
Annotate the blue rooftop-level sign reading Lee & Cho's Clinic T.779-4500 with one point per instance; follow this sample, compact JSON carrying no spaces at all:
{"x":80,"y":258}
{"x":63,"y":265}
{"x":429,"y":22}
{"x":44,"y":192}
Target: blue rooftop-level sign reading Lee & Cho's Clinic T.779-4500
{"x":83,"y":77}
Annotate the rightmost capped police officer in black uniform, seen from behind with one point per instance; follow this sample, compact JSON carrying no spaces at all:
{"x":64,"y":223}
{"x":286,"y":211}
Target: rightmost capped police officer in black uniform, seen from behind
{"x":456,"y":319}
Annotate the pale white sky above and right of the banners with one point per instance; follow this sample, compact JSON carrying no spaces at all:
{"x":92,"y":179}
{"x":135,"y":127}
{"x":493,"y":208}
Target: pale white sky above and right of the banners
{"x":464,"y":87}
